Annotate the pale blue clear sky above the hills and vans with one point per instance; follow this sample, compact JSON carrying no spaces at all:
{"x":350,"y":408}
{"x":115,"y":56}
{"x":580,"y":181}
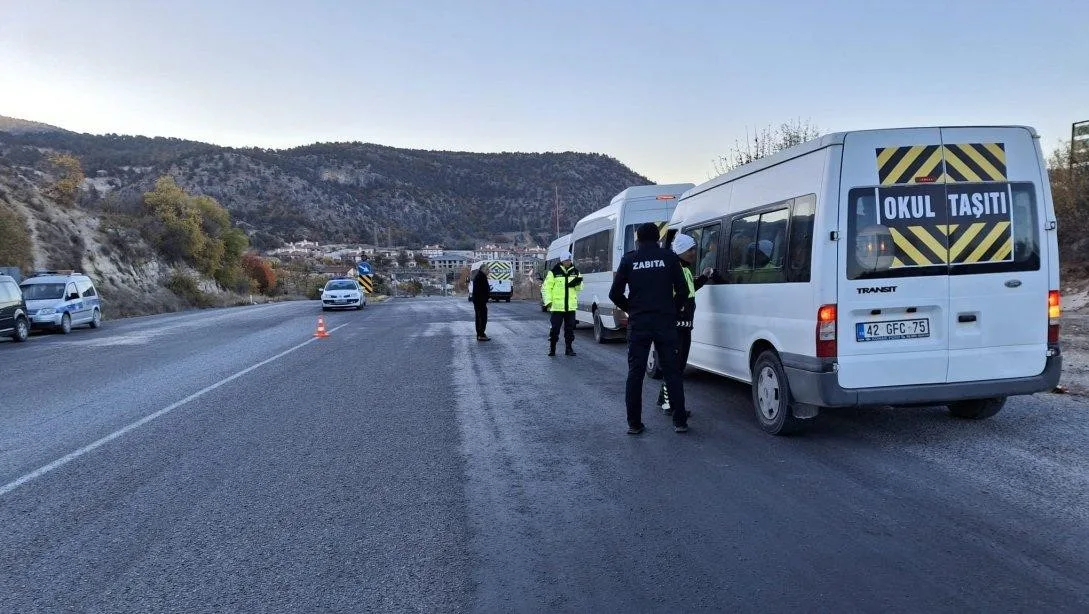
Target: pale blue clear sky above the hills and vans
{"x":665,"y":87}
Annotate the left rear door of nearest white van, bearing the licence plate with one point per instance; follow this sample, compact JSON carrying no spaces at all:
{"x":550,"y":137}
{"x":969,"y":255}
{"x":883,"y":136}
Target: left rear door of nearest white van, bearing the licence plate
{"x":895,"y":300}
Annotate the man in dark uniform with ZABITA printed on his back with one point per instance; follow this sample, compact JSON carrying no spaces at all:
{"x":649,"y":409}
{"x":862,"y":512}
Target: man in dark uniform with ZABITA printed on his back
{"x":656,"y":294}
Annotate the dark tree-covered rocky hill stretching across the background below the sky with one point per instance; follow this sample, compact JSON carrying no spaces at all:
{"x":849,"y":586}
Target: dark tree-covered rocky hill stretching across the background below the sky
{"x":347,"y":192}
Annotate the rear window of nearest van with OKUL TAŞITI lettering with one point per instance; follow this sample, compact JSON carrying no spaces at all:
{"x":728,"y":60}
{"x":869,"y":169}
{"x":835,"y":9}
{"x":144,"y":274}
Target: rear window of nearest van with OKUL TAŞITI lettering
{"x":943,"y":229}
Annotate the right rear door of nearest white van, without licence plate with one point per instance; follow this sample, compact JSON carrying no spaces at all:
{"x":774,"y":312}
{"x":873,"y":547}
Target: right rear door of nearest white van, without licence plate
{"x":999,"y":280}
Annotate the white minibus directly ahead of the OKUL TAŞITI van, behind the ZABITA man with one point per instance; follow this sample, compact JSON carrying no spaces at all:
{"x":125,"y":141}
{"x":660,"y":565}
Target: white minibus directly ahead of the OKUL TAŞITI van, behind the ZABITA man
{"x":603,"y":238}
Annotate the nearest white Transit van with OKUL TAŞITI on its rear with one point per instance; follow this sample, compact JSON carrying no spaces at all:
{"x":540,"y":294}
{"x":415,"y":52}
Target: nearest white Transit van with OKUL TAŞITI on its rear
{"x":888,"y":267}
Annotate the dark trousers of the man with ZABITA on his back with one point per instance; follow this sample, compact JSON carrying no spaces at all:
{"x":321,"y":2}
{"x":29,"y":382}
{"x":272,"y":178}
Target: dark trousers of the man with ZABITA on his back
{"x":663,"y":333}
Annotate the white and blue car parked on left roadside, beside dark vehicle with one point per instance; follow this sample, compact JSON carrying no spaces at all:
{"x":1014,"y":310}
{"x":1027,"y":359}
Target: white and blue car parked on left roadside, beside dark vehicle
{"x":62,"y":300}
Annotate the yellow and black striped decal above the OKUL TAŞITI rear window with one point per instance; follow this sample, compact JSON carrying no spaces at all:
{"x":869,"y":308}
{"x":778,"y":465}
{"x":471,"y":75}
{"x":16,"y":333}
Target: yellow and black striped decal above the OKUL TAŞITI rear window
{"x":972,"y":163}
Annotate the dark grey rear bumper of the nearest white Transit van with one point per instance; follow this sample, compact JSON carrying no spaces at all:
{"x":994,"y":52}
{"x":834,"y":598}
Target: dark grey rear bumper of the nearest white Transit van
{"x":815,"y":383}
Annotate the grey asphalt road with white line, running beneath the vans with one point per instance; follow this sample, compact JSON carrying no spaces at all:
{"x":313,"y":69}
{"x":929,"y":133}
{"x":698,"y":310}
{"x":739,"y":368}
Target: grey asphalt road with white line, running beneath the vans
{"x":224,"y":462}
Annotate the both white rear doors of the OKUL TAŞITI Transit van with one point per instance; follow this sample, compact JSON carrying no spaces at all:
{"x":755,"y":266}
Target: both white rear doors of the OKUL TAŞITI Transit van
{"x":946,"y":277}
